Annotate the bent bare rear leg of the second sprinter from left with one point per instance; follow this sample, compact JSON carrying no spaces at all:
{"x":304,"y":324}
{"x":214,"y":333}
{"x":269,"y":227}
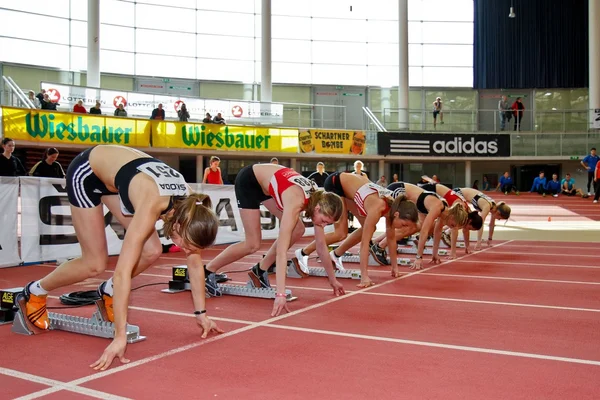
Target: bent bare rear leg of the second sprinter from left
{"x":251,"y":243}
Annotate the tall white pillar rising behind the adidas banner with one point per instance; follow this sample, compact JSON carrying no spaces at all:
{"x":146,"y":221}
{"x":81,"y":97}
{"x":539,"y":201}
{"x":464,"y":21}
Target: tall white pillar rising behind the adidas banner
{"x":403,"y":64}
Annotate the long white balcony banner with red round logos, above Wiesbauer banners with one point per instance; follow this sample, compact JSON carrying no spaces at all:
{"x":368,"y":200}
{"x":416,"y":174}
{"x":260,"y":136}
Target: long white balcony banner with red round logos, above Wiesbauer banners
{"x":141,"y":104}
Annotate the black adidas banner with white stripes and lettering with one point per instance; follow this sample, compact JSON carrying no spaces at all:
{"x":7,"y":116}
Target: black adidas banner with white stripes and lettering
{"x":443,"y":145}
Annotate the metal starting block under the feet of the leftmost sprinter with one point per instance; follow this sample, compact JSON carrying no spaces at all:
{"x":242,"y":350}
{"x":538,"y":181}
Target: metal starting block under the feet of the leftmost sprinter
{"x":97,"y":325}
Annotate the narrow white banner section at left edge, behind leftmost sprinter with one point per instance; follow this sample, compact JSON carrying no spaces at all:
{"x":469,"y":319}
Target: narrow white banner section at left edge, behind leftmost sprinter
{"x":9,"y":245}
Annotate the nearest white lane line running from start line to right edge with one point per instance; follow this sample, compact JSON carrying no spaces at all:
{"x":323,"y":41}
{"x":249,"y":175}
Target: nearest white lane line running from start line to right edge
{"x":441,"y":345}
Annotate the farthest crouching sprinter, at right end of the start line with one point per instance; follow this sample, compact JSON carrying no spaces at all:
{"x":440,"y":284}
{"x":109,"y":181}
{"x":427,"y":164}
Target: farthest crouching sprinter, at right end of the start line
{"x":485,"y":205}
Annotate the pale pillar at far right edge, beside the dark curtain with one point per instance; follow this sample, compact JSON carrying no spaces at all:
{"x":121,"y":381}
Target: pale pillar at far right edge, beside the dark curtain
{"x":594,"y":56}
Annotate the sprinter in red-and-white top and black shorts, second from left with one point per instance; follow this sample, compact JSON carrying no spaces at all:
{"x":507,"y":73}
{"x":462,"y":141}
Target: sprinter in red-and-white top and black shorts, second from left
{"x":285,"y":193}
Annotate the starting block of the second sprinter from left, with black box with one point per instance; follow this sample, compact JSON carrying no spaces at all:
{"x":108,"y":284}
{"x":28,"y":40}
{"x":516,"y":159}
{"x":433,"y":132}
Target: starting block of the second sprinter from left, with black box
{"x":181,"y":283}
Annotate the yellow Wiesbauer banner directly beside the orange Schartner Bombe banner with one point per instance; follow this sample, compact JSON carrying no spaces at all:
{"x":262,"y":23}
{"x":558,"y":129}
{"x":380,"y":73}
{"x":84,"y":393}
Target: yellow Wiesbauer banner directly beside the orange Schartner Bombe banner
{"x":184,"y":135}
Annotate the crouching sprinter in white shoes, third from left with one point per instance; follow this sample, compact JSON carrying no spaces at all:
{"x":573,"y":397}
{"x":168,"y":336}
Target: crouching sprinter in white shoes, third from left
{"x":357,"y":192}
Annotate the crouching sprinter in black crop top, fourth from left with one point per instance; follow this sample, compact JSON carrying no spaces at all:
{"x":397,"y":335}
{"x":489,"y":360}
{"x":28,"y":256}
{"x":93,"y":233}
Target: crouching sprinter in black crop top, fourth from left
{"x":434,"y":213}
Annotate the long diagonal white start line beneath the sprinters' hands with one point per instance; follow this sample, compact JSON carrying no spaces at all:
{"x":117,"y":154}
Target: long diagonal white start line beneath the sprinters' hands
{"x":171,"y":352}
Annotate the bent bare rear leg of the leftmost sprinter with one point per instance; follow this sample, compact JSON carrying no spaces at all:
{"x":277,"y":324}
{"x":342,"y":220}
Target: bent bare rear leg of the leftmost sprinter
{"x":89,"y":227}
